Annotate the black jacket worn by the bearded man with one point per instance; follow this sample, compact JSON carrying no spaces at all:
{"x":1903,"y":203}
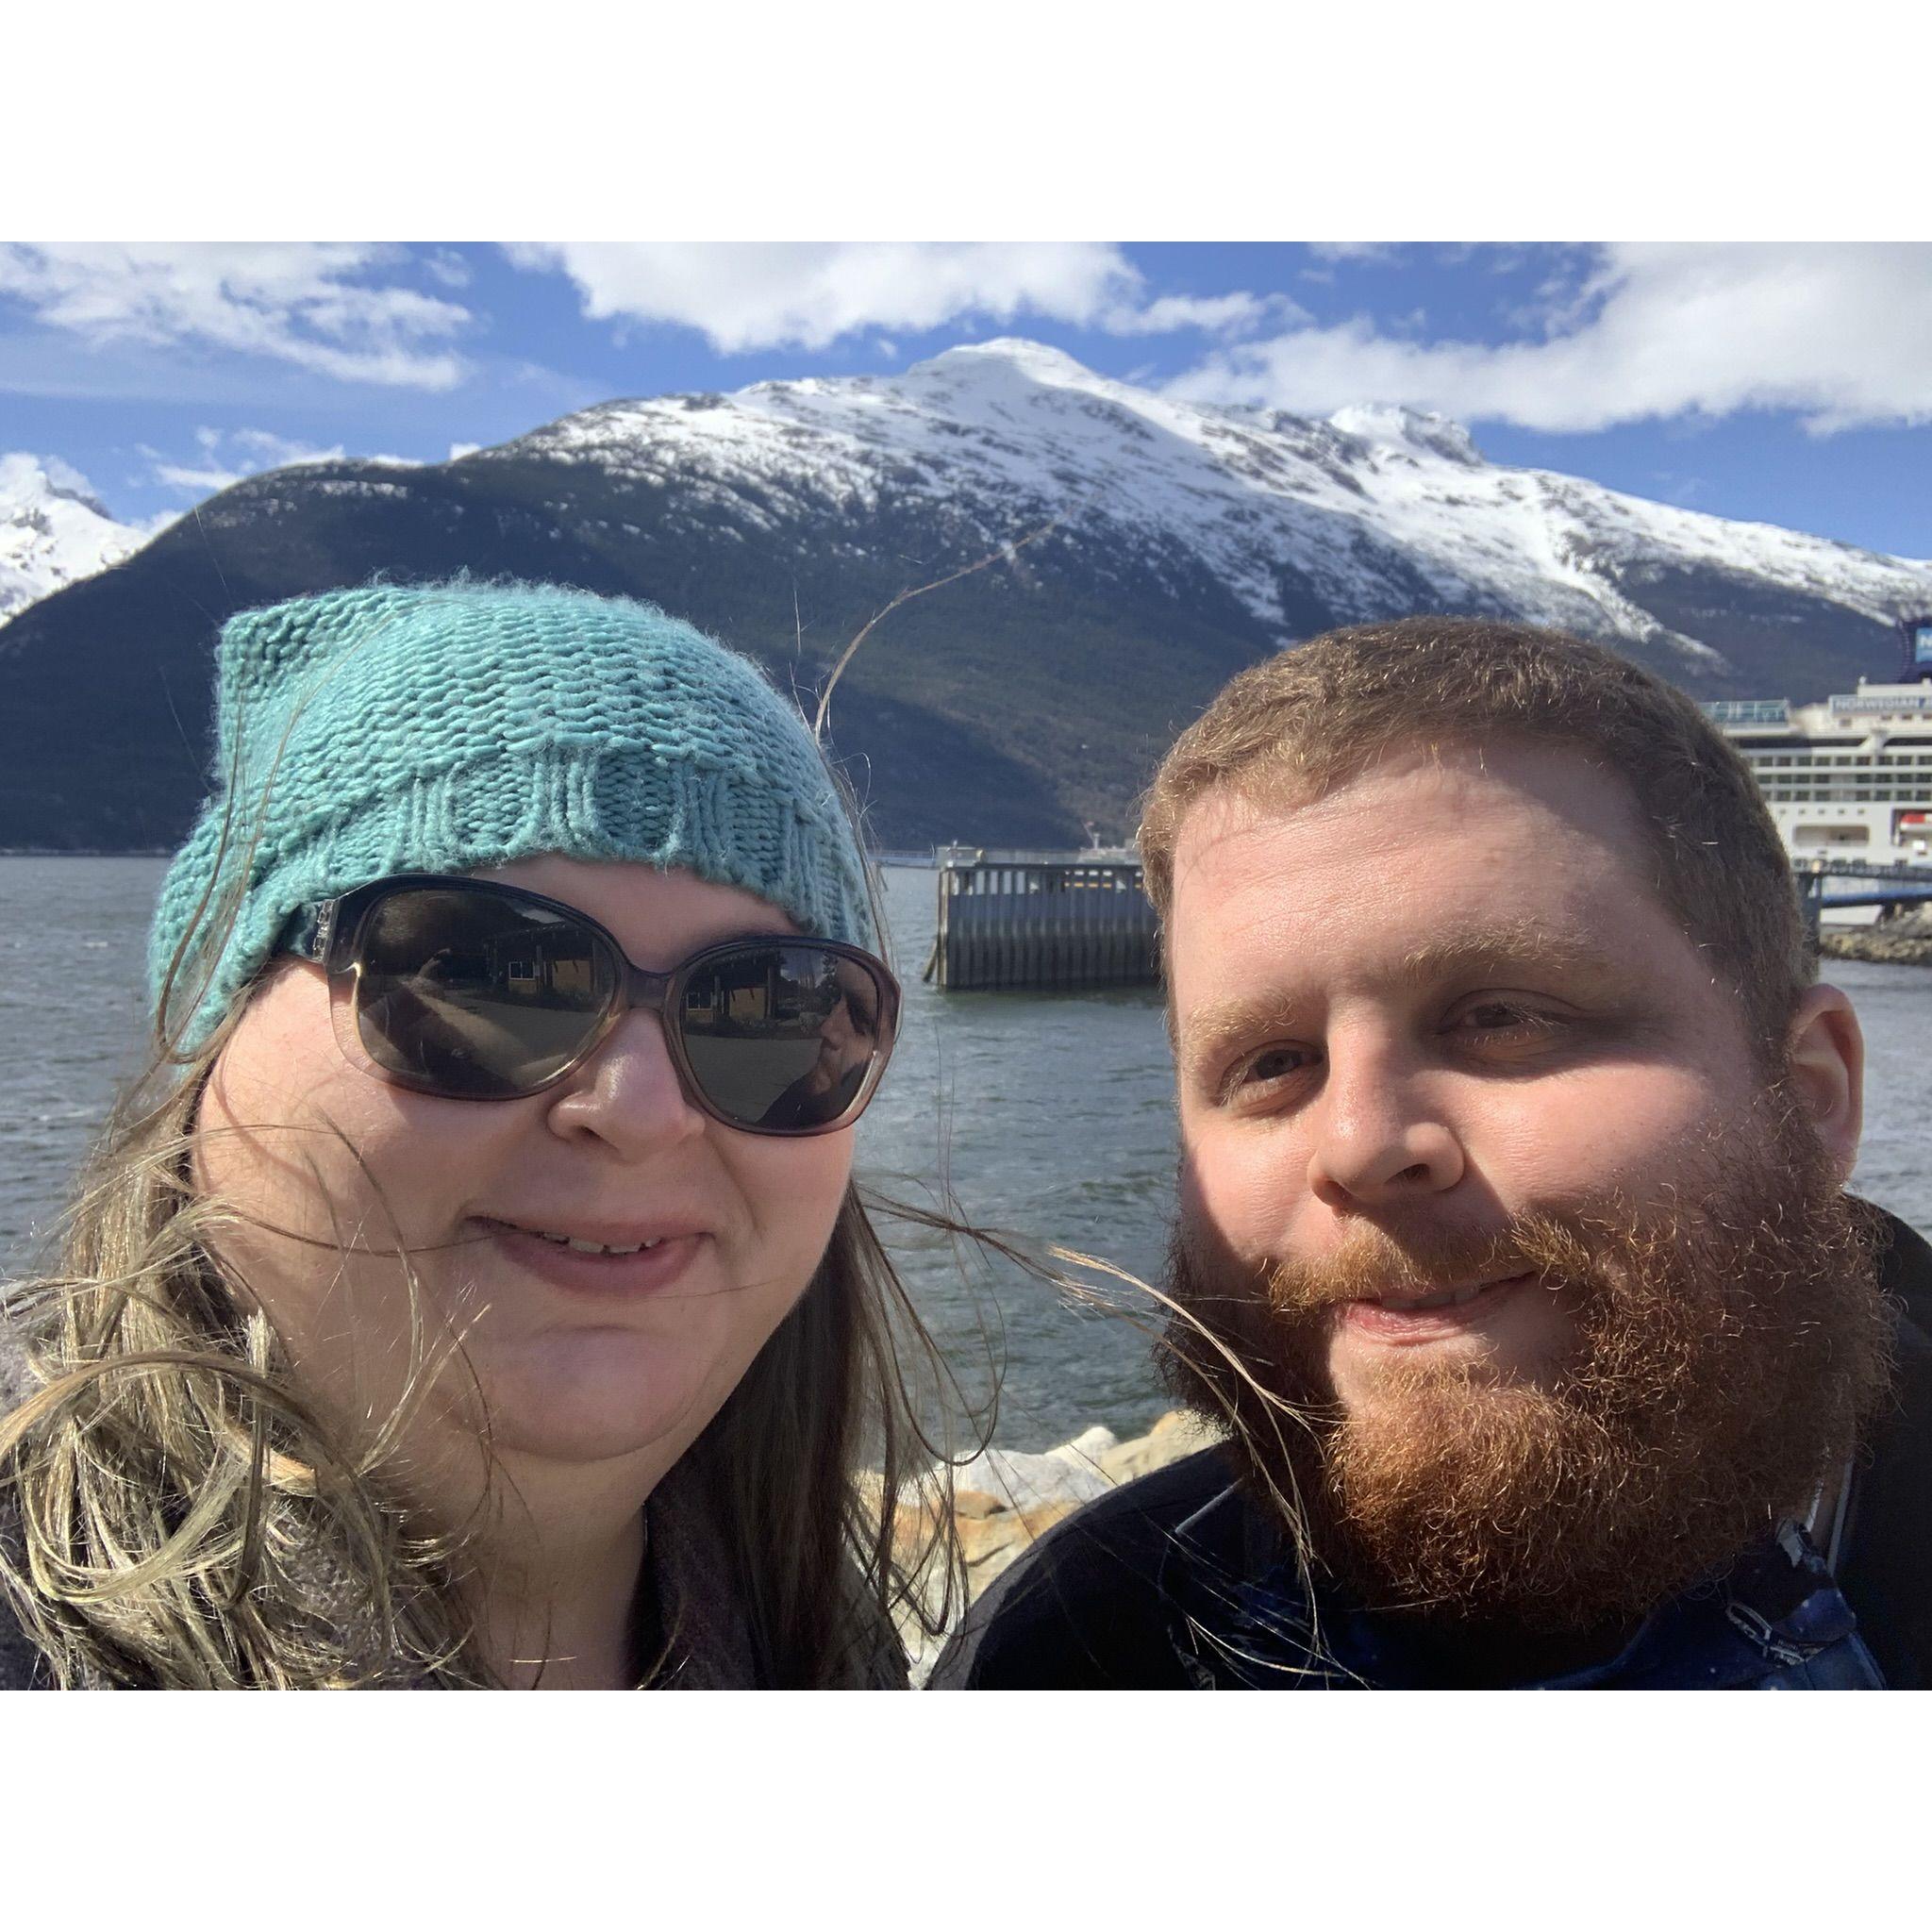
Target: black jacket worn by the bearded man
{"x":1137,"y":1591}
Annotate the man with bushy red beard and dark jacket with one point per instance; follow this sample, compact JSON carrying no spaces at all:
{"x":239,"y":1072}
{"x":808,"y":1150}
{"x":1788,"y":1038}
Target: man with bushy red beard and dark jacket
{"x":1512,"y":1245}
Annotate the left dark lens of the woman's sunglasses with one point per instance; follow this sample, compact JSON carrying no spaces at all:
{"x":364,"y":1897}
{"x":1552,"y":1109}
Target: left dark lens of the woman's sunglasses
{"x":474,"y":996}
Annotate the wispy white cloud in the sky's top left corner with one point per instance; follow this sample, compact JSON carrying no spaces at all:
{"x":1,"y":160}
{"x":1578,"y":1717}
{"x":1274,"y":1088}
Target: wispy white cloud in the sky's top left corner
{"x":320,"y":306}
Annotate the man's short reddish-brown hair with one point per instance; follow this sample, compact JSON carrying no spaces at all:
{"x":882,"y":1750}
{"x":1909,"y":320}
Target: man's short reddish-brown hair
{"x":1315,"y":718}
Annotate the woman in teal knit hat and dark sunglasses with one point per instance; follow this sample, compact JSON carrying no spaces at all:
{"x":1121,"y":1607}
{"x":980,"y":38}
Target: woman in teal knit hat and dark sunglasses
{"x":476,"y":1292}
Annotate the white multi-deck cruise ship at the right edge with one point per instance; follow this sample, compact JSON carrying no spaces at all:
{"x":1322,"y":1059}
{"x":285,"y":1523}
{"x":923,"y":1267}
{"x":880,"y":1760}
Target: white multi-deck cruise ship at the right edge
{"x":1852,"y":776}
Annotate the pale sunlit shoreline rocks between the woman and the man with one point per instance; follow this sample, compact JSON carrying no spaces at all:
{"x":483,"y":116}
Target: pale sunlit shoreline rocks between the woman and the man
{"x":1006,"y":1500}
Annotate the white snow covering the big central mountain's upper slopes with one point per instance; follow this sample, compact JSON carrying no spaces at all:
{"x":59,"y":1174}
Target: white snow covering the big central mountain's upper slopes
{"x":1375,"y":511}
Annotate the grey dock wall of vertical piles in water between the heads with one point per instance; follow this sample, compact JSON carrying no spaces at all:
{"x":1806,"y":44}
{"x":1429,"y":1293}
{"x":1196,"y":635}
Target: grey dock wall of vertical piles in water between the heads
{"x":1042,"y":923}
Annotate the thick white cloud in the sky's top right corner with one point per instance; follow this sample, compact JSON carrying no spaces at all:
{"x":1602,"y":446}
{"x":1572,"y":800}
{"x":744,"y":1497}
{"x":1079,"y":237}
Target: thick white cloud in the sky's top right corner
{"x":1840,"y":333}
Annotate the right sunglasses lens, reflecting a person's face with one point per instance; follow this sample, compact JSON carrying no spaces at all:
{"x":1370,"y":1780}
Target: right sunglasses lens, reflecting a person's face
{"x":781,"y":1037}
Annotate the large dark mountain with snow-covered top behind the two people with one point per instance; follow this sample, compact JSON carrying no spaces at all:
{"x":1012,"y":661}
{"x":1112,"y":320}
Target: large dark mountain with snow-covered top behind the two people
{"x":1172,"y":544}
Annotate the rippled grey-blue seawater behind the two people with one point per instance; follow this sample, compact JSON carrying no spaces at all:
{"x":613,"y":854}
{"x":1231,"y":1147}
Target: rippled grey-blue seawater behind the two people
{"x":1044,"y":1118}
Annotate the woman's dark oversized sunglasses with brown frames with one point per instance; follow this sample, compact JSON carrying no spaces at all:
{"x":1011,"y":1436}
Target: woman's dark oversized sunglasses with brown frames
{"x":474,"y":990}
